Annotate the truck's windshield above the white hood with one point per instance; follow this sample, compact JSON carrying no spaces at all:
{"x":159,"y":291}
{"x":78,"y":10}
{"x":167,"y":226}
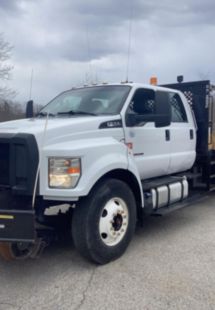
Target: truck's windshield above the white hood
{"x":96,"y":100}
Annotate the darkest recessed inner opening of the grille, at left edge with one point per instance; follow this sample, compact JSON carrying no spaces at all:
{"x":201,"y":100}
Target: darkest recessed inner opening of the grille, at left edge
{"x":4,"y":164}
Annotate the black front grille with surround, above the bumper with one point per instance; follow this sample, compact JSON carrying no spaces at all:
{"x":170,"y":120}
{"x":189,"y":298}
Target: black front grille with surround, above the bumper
{"x":18,"y":162}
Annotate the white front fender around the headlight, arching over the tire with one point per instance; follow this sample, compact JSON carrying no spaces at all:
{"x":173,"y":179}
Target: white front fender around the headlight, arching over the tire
{"x":98,"y":157}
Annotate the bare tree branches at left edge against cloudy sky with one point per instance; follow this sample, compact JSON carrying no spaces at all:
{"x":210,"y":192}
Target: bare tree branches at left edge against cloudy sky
{"x":5,"y":69}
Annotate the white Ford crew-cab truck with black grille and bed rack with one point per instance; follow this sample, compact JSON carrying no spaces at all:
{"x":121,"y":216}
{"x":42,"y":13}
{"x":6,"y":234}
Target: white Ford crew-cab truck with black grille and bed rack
{"x":113,"y":154}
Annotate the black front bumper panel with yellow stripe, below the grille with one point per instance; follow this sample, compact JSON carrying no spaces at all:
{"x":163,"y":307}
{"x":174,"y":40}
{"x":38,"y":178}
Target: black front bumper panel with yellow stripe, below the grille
{"x":17,"y":226}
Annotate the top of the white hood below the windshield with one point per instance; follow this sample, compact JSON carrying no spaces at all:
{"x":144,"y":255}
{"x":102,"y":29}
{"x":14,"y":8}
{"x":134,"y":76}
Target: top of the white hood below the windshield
{"x":59,"y":129}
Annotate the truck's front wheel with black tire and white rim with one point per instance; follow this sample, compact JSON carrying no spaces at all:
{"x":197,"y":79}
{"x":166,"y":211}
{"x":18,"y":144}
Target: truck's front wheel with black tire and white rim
{"x":104,"y":221}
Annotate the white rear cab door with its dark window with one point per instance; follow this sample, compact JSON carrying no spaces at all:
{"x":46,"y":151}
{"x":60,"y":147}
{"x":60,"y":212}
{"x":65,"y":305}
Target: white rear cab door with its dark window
{"x":182,"y":136}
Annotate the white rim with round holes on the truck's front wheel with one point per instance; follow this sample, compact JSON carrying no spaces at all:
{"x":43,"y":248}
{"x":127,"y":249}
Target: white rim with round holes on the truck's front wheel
{"x":113,"y":222}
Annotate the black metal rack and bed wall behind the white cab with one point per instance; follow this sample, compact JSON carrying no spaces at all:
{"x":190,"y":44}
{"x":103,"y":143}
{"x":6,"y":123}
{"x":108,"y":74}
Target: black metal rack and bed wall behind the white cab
{"x":200,"y":96}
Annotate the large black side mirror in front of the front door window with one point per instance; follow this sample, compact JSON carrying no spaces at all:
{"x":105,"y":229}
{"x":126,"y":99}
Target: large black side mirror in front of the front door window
{"x":162,"y":109}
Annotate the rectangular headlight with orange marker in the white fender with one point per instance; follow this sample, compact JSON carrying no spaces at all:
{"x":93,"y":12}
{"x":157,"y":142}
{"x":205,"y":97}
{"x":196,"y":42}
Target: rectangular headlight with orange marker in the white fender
{"x":64,"y":172}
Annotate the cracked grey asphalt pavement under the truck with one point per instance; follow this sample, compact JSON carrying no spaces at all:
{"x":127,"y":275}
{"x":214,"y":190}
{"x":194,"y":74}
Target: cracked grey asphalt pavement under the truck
{"x":170,"y":264}
